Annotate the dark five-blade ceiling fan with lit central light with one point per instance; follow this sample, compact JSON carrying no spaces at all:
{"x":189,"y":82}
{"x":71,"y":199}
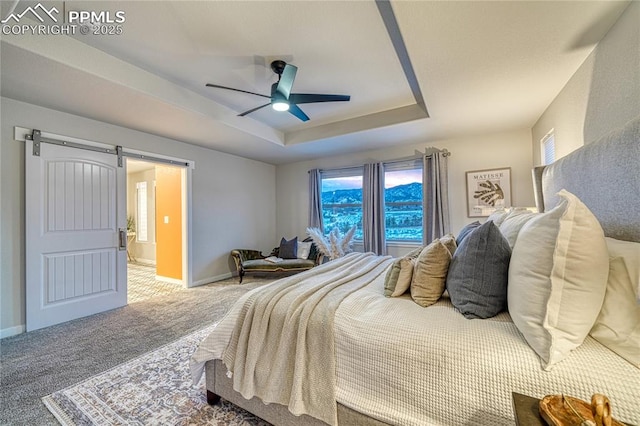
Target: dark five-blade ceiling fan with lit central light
{"x":281,"y":98}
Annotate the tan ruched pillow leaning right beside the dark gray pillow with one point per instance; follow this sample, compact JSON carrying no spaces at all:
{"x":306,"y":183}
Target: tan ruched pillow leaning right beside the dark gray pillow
{"x":430,"y":271}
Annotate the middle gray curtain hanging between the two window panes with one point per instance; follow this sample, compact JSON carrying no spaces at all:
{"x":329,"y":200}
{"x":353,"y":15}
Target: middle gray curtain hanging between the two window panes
{"x":373,"y":229}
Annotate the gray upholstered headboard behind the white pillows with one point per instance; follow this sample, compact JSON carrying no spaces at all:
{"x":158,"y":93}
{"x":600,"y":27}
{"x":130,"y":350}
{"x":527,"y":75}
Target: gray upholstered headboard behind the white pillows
{"x":605,"y":175}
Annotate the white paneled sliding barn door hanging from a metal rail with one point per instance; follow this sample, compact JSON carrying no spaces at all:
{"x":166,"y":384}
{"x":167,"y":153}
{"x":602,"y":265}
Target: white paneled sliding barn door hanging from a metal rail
{"x":75,"y":208}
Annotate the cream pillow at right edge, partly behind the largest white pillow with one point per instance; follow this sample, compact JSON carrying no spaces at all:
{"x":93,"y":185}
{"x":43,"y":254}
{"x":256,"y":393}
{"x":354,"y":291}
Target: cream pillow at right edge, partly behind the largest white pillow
{"x":618,"y":324}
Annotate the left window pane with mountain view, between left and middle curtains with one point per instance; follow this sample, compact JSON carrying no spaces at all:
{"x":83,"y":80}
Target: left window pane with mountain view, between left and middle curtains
{"x":342,"y":200}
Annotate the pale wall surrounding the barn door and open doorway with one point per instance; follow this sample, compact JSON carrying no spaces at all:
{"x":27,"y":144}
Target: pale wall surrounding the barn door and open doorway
{"x":233,"y":198}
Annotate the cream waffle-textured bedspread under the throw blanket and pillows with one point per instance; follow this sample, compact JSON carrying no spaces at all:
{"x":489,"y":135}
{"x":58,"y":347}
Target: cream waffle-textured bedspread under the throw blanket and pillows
{"x":407,"y":365}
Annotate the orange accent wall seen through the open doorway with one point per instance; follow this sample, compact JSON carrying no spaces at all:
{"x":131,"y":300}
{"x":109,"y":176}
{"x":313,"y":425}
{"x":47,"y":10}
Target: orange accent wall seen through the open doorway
{"x":169,"y":235}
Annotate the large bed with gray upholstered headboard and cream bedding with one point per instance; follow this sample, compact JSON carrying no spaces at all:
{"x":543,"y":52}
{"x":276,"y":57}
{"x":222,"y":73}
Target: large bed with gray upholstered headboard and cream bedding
{"x":365,"y":359}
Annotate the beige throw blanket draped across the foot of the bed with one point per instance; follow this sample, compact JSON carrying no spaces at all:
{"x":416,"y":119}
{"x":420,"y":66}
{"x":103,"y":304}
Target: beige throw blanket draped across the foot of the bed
{"x":282,"y":347}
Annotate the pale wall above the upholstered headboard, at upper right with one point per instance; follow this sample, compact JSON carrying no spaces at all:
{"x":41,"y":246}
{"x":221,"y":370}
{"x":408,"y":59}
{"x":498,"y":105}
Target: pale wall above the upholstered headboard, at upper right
{"x":602,"y":95}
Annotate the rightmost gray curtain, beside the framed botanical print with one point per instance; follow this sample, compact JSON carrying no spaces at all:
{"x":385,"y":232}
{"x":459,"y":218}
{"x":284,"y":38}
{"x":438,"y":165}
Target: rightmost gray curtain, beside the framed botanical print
{"x":435,"y":187}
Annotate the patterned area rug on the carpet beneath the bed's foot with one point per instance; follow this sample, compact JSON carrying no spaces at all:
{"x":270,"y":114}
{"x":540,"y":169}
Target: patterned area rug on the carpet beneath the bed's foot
{"x":154,"y":389}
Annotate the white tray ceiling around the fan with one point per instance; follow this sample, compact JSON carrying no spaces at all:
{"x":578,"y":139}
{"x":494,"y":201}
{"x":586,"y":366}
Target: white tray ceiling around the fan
{"x":481,"y":67}
